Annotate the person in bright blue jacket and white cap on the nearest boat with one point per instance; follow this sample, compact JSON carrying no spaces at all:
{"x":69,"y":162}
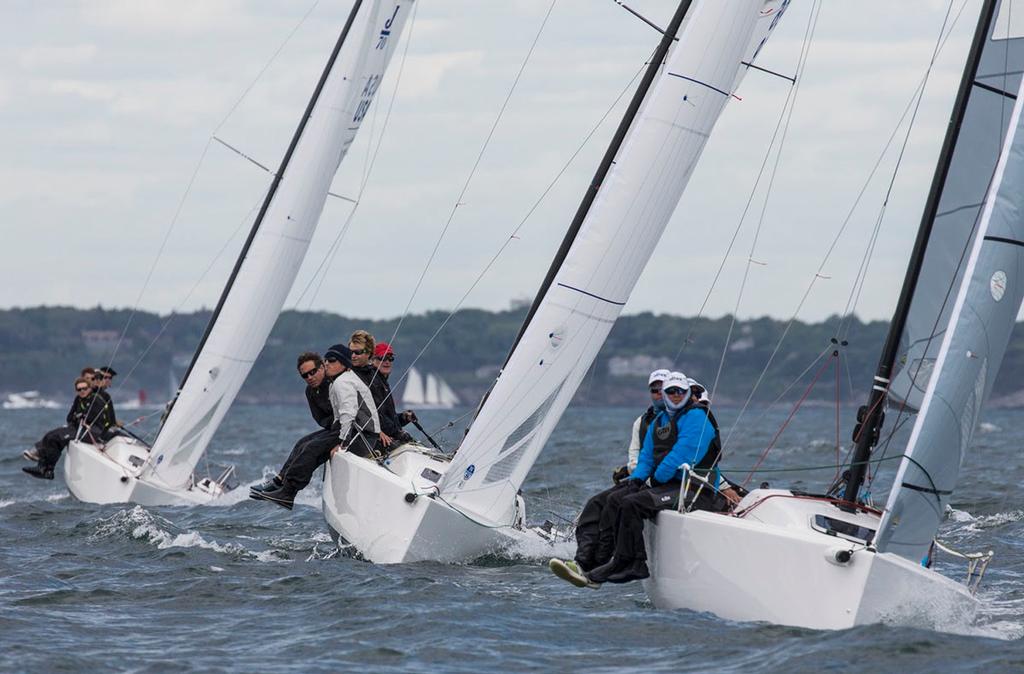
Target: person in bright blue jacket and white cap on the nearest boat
{"x":682,"y":434}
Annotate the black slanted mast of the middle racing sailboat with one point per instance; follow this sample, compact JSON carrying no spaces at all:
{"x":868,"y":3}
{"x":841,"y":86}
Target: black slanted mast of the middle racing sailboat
{"x":603,"y":172}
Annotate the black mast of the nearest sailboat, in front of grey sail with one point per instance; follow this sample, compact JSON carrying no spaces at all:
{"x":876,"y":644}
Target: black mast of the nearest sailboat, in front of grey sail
{"x":872,"y":426}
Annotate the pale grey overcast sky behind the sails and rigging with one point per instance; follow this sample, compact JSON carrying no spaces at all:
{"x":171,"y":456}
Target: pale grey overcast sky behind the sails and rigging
{"x":106,"y":109}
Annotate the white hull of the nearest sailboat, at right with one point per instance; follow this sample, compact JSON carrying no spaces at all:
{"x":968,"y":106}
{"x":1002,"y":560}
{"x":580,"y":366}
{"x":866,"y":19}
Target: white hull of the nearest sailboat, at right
{"x":774,"y":566}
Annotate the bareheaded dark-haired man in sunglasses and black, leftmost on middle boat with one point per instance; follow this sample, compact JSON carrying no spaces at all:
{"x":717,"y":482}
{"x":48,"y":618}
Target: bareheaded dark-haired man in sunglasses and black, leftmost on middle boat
{"x":318,"y":376}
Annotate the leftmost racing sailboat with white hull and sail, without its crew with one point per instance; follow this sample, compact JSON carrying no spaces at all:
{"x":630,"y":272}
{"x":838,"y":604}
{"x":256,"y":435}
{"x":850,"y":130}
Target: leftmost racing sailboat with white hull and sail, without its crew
{"x":126,"y":470}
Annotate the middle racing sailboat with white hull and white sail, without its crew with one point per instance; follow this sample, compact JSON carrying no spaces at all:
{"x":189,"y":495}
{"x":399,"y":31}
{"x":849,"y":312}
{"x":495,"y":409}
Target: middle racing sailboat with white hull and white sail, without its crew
{"x":419,"y":505}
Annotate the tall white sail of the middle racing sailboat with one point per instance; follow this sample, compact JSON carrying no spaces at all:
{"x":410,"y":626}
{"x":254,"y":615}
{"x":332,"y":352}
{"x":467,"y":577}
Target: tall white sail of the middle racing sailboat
{"x":618,"y":237}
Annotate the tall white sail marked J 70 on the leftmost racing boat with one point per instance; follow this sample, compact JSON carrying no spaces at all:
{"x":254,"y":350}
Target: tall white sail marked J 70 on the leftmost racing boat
{"x":267,"y":275}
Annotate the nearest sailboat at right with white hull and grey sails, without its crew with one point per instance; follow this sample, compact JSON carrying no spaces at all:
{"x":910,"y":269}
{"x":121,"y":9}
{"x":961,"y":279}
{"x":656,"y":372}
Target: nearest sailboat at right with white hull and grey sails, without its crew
{"x":835,"y":562}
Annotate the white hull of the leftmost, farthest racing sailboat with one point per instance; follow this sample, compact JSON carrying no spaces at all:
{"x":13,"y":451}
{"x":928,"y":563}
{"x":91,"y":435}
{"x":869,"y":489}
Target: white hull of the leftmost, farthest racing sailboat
{"x":112,"y":476}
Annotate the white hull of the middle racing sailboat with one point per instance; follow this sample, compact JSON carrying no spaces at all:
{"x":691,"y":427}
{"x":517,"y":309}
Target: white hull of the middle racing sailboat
{"x":370,"y":508}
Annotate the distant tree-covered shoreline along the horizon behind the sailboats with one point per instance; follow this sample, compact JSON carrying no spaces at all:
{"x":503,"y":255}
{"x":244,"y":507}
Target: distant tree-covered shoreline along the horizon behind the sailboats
{"x":42,"y":349}
